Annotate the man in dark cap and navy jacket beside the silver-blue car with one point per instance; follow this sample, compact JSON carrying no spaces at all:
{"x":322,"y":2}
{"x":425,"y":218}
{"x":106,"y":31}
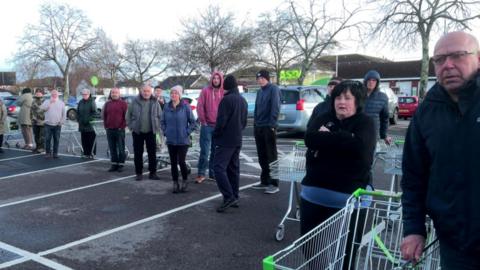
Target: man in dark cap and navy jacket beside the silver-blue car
{"x":267,"y":108}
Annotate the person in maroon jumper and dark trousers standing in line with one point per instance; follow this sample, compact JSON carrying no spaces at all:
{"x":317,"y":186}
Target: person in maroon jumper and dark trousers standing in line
{"x":113,"y":114}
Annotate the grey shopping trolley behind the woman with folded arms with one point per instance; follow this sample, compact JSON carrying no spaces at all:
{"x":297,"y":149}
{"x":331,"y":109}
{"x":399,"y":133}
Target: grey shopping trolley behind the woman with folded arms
{"x":290,"y":168}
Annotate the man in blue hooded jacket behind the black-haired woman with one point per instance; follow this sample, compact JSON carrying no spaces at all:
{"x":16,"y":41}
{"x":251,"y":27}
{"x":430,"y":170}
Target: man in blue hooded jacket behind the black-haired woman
{"x":376,"y":105}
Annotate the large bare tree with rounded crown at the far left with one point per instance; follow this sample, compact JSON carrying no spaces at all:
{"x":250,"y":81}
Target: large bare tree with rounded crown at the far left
{"x":63,"y":34}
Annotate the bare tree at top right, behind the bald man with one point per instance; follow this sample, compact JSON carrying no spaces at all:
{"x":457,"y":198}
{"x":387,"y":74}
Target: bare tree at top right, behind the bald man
{"x":406,"y":20}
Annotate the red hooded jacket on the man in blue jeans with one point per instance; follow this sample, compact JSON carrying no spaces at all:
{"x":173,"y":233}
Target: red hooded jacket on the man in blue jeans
{"x":208,"y":102}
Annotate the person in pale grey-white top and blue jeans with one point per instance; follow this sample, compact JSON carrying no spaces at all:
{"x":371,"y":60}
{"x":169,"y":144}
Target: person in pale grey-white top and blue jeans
{"x":54,"y":119}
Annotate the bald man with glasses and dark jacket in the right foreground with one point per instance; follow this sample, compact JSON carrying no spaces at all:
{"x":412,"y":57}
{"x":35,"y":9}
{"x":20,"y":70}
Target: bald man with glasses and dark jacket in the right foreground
{"x":441,"y":175}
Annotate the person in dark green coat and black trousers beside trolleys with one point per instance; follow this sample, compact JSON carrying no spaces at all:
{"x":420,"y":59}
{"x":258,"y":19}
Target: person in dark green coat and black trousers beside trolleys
{"x":86,"y":110}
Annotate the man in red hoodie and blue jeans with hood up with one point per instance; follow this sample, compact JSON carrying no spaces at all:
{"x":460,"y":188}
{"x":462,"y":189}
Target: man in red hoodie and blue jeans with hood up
{"x":207,"y":108}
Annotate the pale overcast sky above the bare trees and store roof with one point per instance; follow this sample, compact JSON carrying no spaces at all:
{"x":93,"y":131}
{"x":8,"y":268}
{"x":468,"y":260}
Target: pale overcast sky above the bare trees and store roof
{"x":147,"y":19}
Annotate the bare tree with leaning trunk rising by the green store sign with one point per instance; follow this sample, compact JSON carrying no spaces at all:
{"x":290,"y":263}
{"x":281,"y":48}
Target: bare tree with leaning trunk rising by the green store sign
{"x":315,"y":29}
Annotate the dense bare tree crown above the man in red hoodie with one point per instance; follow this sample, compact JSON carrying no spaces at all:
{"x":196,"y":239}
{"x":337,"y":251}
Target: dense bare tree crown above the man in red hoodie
{"x":215,"y":43}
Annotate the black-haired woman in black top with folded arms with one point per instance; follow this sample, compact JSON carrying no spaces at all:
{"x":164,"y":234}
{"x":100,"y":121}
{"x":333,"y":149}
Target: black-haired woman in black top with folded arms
{"x":340,"y":146}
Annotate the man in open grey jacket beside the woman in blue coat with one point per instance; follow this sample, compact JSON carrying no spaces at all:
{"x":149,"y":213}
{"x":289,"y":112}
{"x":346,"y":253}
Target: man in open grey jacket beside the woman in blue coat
{"x":143,"y":119}
